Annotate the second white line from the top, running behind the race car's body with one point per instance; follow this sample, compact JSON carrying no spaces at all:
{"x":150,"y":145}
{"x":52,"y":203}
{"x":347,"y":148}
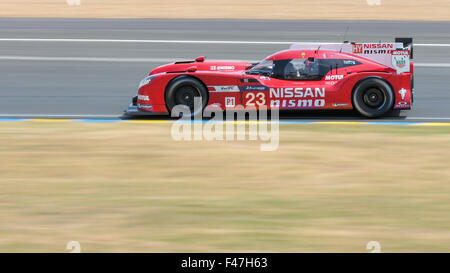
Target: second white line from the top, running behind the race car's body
{"x":144,"y":60}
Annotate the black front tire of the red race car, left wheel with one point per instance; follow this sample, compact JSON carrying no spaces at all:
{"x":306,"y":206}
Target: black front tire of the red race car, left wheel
{"x":182,"y":91}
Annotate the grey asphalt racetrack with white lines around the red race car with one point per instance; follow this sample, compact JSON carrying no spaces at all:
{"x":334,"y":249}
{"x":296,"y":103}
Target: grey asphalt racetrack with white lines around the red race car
{"x":91,"y":67}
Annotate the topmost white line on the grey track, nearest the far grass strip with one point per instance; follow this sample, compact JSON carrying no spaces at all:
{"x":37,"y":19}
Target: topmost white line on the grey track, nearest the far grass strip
{"x":181,"y":41}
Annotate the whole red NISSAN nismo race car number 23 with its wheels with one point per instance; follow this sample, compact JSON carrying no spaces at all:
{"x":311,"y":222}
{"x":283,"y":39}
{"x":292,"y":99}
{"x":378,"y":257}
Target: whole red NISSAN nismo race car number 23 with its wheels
{"x":373,"y":78}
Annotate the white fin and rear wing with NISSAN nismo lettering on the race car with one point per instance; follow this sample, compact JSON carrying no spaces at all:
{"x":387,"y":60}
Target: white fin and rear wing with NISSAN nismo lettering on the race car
{"x":396,"y":55}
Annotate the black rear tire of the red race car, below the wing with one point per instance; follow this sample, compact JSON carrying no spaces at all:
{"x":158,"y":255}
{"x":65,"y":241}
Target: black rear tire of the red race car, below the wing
{"x":373,"y":97}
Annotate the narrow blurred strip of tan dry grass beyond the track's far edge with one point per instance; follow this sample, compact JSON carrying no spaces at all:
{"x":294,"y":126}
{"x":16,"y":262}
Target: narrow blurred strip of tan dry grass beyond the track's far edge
{"x":258,"y":9}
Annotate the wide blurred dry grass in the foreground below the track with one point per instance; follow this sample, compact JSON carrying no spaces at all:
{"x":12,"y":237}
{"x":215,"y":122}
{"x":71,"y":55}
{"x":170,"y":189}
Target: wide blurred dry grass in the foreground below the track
{"x":130,"y":187}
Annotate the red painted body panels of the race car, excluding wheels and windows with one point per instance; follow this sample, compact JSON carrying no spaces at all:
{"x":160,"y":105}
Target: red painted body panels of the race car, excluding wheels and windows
{"x":228,"y":84}
